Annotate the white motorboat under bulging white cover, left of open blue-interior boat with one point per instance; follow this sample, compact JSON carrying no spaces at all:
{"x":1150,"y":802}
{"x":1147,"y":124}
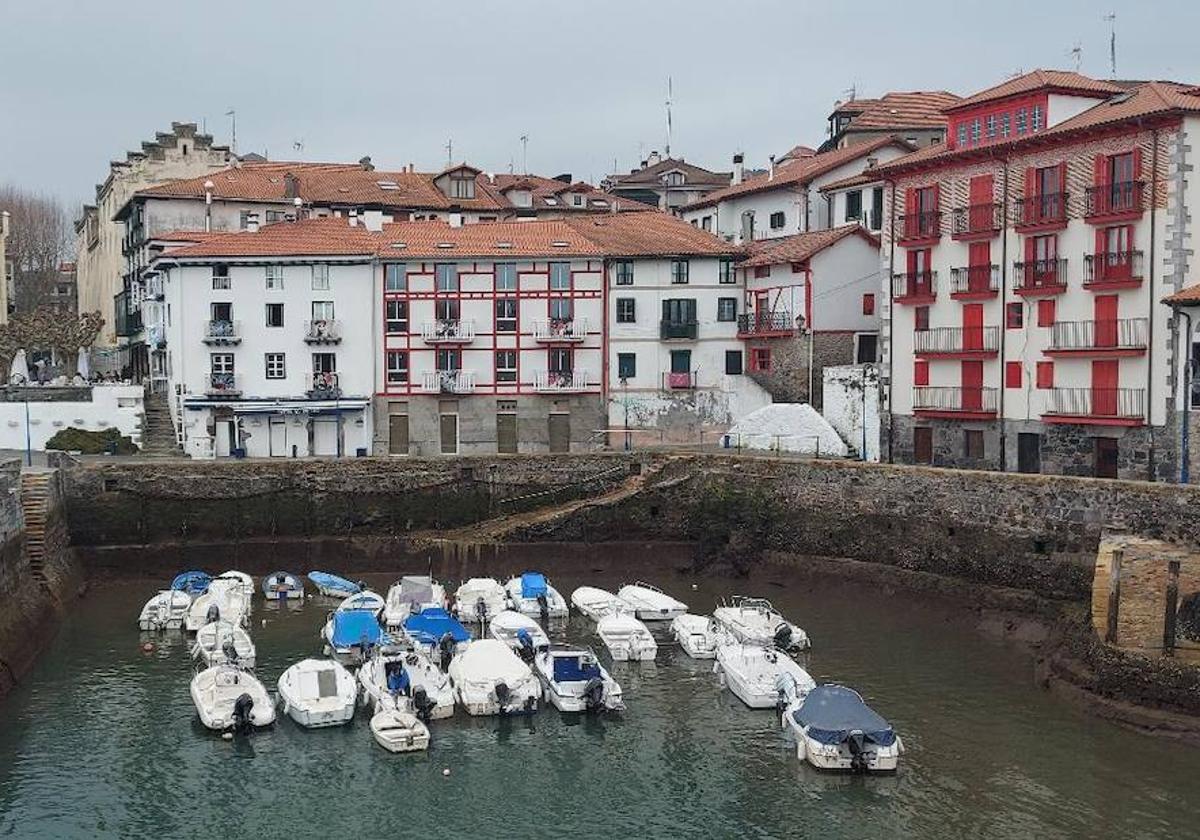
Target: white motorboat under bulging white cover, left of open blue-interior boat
{"x":490,"y":680}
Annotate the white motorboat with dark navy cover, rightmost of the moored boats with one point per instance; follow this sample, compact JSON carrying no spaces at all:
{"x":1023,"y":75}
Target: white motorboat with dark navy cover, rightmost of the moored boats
{"x":836,"y":730}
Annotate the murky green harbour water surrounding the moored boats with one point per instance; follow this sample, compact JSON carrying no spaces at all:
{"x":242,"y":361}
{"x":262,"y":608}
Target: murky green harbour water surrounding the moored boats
{"x":103,"y":741}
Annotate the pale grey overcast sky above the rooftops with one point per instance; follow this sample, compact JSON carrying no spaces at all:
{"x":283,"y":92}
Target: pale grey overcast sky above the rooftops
{"x":82,"y":82}
